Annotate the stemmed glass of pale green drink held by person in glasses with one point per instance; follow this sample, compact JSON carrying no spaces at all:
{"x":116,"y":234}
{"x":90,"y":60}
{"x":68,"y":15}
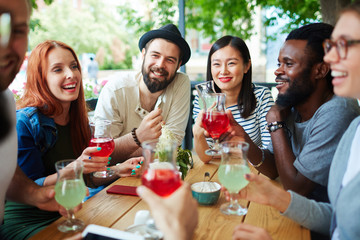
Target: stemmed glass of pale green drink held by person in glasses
{"x":231,"y":173}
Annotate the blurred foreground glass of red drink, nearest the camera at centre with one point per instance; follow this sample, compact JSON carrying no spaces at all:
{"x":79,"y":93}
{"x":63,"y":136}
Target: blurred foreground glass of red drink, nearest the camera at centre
{"x":160,"y":173}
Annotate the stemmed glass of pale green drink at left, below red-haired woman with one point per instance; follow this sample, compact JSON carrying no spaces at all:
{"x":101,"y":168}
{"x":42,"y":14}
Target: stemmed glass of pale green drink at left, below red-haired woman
{"x":70,"y":190}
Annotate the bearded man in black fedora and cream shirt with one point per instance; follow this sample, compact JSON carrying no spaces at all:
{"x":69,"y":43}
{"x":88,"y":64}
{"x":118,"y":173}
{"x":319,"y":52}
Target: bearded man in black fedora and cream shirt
{"x":139,"y":104}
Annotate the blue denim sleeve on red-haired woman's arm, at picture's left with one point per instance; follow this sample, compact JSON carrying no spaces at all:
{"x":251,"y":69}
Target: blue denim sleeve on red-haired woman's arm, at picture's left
{"x":29,"y":155}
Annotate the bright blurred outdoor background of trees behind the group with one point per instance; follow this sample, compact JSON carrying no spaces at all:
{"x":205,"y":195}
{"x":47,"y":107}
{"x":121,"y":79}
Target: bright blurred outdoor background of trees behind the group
{"x":108,"y":31}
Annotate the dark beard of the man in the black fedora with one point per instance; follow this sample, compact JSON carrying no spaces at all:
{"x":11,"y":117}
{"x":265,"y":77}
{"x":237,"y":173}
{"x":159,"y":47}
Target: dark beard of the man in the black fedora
{"x":154,"y":84}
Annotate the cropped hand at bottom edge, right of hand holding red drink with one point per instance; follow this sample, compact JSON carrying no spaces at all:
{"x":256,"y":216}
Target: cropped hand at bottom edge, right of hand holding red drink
{"x":250,"y":232}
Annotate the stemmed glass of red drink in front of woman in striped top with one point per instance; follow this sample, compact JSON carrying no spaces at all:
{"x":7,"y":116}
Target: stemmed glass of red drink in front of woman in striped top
{"x":215,"y":120}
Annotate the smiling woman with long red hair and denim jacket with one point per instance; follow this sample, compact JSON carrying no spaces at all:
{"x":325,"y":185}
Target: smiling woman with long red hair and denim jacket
{"x":52,"y":125}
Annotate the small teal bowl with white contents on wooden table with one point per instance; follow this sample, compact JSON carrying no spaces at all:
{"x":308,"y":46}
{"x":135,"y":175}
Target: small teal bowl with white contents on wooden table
{"x":206,"y":193}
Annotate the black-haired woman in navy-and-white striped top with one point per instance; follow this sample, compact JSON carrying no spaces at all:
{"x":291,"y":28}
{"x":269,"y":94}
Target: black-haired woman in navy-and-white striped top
{"x":229,"y":65}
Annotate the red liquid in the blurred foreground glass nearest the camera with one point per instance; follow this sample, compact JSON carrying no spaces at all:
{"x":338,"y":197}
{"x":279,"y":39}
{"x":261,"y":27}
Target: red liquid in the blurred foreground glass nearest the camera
{"x":161,"y":181}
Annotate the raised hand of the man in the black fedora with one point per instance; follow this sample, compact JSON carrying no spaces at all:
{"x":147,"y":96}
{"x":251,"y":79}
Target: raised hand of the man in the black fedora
{"x":150,"y":126}
